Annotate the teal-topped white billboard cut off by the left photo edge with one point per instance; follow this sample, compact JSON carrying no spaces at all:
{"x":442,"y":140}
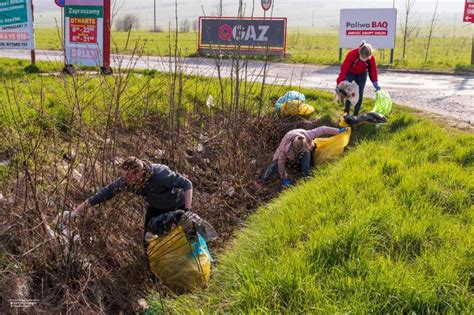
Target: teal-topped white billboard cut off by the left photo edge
{"x":16,"y":25}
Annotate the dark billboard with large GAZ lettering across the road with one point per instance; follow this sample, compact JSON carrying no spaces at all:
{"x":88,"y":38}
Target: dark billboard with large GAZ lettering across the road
{"x":242,"y":35}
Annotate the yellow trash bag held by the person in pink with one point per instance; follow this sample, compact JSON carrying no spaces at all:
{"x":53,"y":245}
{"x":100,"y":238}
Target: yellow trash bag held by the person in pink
{"x":329,"y":149}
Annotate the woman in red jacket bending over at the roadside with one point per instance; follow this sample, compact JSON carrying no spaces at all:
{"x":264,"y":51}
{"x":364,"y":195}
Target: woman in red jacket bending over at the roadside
{"x":358,"y":62}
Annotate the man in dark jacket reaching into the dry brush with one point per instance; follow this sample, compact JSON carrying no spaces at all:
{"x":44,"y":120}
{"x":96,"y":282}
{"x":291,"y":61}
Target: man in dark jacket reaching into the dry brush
{"x":163,"y":189}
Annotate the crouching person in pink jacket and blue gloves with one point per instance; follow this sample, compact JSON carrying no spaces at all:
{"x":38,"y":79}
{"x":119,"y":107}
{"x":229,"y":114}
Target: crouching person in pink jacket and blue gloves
{"x":296,"y":146}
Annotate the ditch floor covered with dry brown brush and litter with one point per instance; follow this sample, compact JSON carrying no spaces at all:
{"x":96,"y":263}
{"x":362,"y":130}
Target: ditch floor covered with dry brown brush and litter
{"x":106,"y":270}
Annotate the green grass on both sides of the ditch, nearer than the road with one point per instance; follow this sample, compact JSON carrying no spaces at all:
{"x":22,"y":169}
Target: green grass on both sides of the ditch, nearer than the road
{"x":387,"y":229}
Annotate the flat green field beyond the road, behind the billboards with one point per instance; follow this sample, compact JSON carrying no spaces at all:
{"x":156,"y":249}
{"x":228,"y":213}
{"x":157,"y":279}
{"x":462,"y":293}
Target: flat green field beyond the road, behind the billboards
{"x":446,"y":53}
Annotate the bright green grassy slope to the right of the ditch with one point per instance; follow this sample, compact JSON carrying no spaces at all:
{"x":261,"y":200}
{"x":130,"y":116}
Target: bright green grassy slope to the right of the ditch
{"x":389,"y":228}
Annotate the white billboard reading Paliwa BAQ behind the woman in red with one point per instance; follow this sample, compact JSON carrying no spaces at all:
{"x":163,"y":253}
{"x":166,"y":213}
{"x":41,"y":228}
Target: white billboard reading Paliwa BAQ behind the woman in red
{"x":376,"y":26}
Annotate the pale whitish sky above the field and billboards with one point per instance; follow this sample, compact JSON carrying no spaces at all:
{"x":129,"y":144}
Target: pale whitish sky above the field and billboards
{"x":300,"y":13}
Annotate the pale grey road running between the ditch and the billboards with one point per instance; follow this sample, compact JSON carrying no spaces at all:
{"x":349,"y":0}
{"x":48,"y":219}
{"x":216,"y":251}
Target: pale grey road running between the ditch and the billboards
{"x":451,"y":96}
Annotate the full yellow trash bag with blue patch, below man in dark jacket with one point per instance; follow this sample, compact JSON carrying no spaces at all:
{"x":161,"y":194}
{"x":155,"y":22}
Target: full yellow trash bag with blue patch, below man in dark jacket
{"x":180,"y":264}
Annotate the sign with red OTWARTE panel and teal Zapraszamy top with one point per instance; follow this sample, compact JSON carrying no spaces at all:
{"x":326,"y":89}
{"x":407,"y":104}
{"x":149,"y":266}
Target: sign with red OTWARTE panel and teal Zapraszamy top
{"x":87,"y":32}
